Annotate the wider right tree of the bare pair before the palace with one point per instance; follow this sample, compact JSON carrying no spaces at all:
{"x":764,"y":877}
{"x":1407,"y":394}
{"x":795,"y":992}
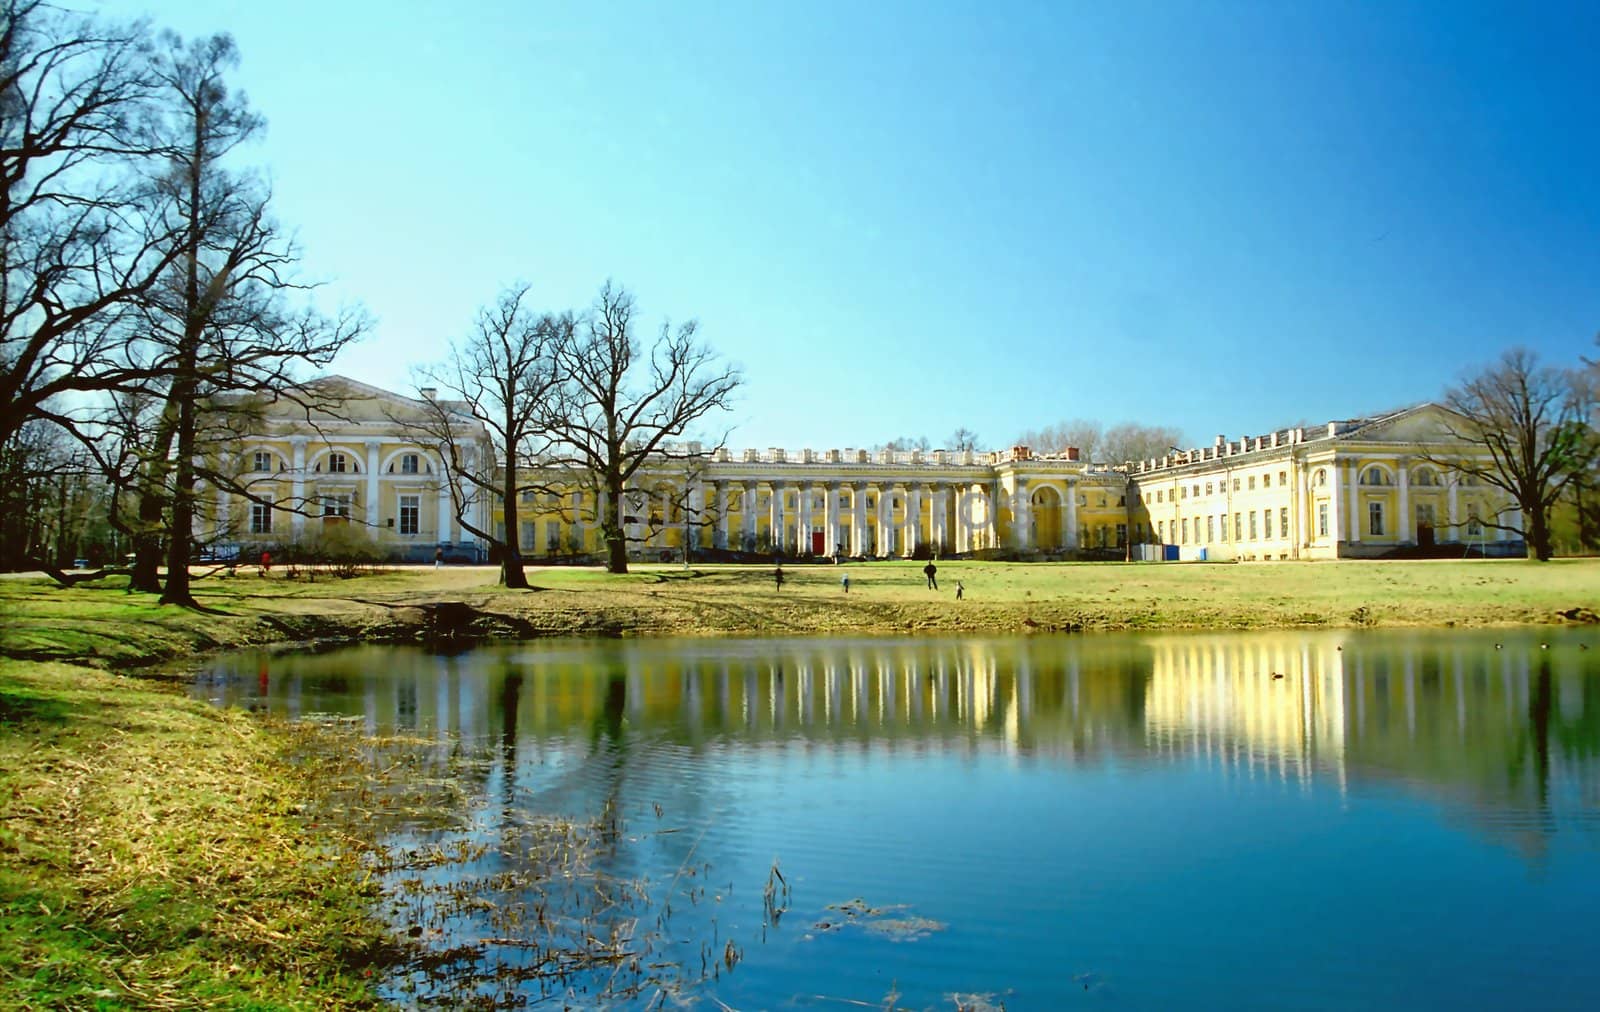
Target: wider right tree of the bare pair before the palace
{"x":620,"y":408}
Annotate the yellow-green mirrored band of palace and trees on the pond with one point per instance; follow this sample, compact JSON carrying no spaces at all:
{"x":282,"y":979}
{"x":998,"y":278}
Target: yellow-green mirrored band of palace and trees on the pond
{"x":1442,"y":712}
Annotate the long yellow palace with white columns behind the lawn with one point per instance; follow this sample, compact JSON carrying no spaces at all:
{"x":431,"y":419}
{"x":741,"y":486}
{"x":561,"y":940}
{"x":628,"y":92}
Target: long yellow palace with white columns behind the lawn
{"x":1350,"y":489}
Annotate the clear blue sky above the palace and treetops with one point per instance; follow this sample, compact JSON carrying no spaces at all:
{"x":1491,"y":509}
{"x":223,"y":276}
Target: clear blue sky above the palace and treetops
{"x":902,"y":219}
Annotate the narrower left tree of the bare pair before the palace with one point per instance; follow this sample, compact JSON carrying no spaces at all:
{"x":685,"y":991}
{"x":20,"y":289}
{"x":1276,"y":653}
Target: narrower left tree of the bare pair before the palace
{"x":505,"y":377}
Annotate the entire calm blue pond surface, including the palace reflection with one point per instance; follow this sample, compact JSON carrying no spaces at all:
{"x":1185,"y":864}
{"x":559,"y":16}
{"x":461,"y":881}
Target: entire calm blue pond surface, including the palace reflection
{"x":1246,"y":821}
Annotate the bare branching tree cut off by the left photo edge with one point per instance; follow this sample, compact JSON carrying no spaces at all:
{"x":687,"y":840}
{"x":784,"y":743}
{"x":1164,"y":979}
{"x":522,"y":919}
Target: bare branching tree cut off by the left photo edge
{"x":76,"y":249}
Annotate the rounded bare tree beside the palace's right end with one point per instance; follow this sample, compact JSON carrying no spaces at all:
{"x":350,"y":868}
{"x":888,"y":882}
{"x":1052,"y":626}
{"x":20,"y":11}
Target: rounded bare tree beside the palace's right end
{"x":1534,"y":425}
